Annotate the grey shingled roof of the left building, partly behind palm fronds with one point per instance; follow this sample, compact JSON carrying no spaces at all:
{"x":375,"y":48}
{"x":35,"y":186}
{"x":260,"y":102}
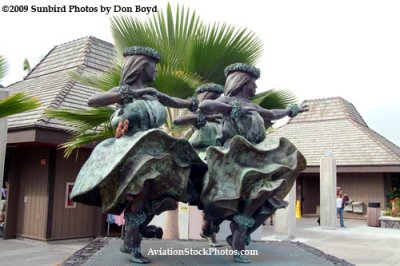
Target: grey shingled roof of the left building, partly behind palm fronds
{"x":51,"y":83}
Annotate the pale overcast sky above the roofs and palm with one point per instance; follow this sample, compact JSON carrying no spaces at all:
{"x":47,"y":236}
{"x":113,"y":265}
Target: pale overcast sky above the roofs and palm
{"x":316,"y":49}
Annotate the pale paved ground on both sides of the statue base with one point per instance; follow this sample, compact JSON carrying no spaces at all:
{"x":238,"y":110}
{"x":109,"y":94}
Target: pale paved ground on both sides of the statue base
{"x":357,"y":243}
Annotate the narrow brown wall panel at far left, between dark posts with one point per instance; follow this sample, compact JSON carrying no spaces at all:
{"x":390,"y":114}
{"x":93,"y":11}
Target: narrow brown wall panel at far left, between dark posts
{"x":32,"y":194}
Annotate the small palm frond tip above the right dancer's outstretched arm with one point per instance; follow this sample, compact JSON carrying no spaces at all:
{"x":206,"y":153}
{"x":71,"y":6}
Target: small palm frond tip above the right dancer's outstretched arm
{"x":274,"y":99}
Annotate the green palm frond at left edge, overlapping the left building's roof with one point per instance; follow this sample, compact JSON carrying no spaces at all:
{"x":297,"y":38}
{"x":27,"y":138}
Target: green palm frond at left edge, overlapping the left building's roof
{"x":17,"y":103}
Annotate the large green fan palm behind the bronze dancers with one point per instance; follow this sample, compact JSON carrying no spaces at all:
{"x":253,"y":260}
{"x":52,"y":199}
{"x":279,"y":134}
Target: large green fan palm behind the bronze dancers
{"x":193,"y":52}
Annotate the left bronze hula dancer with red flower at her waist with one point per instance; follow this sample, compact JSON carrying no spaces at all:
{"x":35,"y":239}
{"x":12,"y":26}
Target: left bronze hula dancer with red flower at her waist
{"x":143,"y":170}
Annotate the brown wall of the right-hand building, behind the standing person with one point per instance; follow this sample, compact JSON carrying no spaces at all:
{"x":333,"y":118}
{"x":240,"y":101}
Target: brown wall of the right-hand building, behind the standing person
{"x":363,"y":187}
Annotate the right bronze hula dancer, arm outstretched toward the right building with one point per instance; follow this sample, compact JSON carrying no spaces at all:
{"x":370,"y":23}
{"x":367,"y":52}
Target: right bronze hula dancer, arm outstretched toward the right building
{"x":248,"y":169}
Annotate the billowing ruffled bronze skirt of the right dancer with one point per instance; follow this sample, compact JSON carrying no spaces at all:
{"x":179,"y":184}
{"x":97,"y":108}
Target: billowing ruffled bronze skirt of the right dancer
{"x":242,"y":174}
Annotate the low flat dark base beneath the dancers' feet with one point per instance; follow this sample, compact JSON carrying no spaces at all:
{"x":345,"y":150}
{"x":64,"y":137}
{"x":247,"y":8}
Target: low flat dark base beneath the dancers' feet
{"x":105,"y":251}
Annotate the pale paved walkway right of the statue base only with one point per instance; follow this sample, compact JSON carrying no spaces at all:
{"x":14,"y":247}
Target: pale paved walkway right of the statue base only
{"x":357,"y":243}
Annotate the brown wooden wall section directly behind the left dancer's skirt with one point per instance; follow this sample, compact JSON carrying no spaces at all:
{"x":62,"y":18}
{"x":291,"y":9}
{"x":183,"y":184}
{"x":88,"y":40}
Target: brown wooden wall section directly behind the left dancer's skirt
{"x":81,"y":221}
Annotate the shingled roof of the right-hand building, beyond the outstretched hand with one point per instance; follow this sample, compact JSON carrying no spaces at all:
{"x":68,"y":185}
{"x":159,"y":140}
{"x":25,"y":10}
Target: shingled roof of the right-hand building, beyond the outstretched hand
{"x":335,"y":124}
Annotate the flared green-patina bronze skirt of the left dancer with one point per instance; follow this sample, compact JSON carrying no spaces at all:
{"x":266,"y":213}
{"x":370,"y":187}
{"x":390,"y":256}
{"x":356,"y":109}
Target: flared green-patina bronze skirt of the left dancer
{"x":150,"y":166}
